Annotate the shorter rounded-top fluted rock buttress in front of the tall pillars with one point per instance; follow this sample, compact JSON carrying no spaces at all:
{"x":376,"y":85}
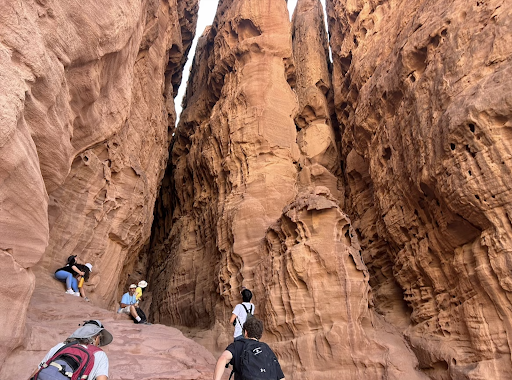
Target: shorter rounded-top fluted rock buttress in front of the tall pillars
{"x":316,"y":298}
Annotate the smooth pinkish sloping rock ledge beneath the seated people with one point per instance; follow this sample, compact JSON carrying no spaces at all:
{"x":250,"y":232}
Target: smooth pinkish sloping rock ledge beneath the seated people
{"x":142,"y":352}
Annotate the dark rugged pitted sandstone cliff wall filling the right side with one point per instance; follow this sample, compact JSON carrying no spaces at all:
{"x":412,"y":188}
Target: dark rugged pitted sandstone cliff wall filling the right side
{"x":422,"y":93}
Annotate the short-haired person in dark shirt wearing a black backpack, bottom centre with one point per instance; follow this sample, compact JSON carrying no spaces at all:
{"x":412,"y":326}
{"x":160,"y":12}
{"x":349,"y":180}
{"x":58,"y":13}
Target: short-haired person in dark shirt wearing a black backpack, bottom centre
{"x":259,"y":361}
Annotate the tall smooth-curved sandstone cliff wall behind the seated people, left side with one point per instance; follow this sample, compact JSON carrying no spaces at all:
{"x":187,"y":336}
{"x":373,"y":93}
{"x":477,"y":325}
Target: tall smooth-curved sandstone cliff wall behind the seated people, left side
{"x":86,"y":104}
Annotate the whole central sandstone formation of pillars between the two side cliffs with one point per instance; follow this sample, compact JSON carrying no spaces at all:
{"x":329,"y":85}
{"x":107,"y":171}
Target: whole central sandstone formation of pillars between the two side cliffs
{"x":253,"y":198}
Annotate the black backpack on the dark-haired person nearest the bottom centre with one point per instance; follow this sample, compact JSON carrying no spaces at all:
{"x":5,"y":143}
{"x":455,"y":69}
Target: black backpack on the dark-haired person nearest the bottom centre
{"x":257,"y":361}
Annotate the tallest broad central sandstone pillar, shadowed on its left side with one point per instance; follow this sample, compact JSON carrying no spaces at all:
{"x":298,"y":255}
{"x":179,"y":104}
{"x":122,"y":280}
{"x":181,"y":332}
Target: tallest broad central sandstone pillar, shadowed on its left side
{"x":233,"y":159}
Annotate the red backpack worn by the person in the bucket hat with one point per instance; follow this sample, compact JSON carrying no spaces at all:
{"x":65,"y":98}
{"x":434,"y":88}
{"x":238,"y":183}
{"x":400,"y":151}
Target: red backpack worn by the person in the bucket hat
{"x":72,"y":361}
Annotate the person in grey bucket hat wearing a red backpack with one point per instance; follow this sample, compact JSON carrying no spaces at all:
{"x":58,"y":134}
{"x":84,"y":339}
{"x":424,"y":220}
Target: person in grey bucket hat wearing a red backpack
{"x":80,"y":352}
